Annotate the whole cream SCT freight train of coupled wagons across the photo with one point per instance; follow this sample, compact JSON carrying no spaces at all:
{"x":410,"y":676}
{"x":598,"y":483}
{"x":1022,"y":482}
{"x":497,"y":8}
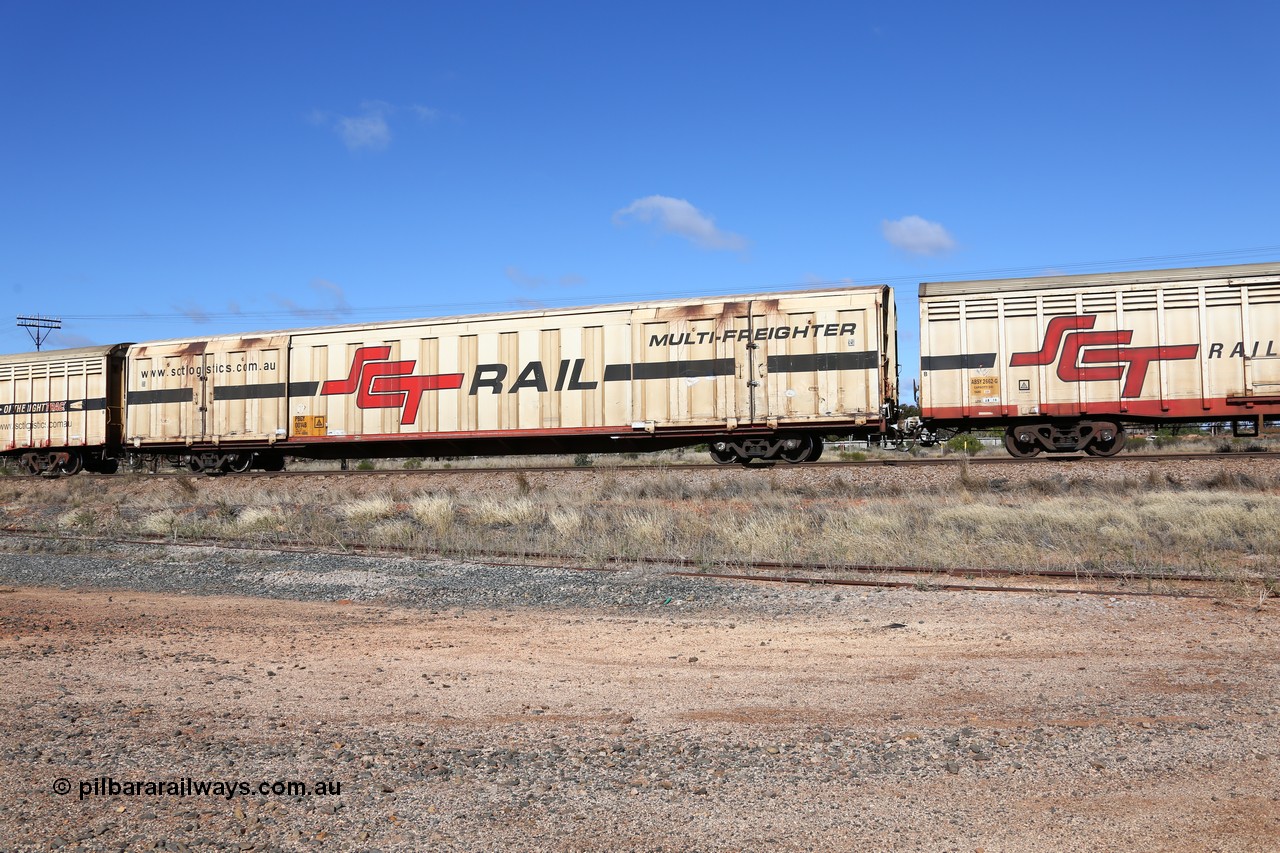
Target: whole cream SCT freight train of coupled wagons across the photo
{"x":1062,"y":364}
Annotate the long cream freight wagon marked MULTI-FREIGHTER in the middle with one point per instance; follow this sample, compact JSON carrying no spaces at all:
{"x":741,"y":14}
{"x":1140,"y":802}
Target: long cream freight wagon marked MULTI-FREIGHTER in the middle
{"x":755,"y":376}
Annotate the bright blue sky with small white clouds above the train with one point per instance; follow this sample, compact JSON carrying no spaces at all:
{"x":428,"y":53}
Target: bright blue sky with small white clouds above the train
{"x":196,"y":168}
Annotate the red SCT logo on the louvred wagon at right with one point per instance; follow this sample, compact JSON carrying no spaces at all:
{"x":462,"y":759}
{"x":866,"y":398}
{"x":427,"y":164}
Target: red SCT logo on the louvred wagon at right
{"x":1099,"y":357}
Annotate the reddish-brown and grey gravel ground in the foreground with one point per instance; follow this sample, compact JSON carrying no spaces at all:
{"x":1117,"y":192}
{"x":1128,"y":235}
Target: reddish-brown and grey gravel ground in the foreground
{"x":467,"y":708}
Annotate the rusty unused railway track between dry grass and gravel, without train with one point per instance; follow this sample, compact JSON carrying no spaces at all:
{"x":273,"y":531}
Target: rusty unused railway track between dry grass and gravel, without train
{"x":925,"y":578}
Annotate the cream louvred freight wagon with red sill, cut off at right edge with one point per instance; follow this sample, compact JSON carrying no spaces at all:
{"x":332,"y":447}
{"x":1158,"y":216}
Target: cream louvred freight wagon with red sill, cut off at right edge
{"x":1066,"y":362}
